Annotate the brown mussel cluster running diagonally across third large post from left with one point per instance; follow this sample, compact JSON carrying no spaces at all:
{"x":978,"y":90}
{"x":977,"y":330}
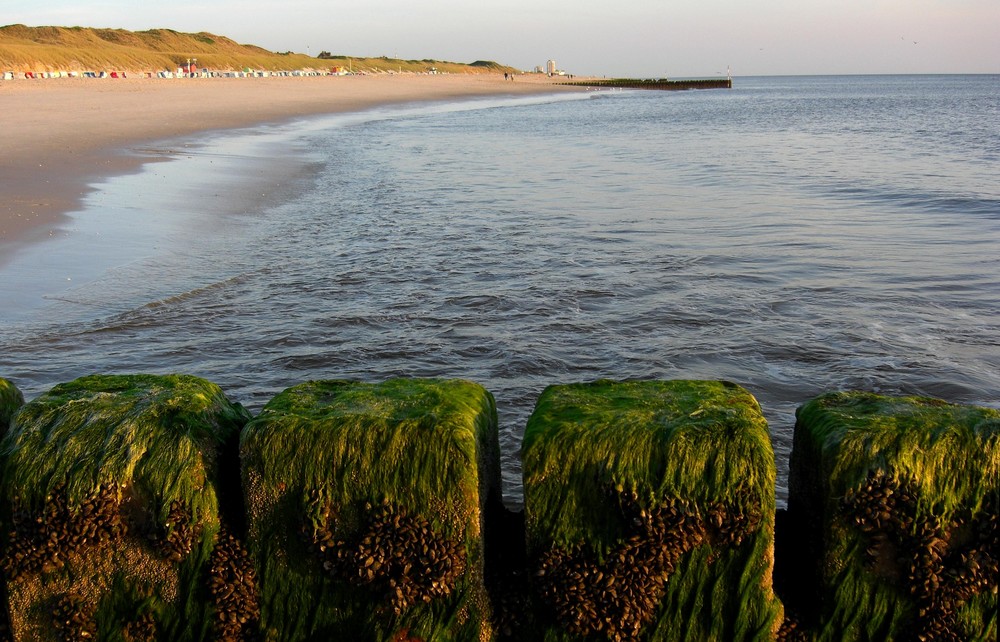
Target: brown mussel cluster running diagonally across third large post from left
{"x":616,"y":598}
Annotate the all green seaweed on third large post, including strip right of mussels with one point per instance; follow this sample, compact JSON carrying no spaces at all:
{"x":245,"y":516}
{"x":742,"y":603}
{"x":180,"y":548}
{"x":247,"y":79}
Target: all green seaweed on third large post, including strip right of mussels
{"x":591,"y":448}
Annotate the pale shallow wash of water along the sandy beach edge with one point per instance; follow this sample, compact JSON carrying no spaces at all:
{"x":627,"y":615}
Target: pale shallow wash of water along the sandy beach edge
{"x":131,"y":233}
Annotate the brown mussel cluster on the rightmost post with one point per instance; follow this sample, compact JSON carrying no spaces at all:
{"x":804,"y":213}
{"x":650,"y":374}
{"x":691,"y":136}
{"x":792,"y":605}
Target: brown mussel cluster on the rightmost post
{"x":940,"y":565}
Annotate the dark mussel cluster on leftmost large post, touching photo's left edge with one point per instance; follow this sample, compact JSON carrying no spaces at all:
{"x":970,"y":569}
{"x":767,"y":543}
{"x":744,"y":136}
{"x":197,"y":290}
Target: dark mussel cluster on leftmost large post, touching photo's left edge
{"x":44,"y":541}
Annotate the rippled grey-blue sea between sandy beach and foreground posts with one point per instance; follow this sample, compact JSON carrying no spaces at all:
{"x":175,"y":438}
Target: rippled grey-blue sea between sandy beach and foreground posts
{"x":795,"y":235}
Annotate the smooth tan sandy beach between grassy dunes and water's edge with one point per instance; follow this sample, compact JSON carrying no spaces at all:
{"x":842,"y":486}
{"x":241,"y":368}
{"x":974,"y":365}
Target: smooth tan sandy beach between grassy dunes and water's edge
{"x":61,"y":134}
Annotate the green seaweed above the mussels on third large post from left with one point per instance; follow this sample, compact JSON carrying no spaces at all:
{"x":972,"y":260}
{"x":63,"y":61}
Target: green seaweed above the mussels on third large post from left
{"x":697,"y":440}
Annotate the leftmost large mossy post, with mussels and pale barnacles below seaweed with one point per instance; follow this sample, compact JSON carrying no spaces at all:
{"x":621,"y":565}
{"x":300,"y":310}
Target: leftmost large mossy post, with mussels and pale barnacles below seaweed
{"x":110,"y":508}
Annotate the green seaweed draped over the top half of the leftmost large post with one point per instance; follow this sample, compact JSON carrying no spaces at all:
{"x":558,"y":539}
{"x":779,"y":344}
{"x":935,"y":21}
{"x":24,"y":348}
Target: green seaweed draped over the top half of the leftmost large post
{"x":148,"y":430}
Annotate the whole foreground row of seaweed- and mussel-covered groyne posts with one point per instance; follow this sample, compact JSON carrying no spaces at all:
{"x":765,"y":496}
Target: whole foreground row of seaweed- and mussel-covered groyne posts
{"x":149,"y":507}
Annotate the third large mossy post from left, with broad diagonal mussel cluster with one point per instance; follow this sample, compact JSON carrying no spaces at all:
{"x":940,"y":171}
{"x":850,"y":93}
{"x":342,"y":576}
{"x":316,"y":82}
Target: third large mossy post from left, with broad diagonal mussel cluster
{"x":650,"y":512}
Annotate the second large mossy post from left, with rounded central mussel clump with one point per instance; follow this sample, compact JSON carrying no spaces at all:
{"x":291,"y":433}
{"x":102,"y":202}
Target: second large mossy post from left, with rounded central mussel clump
{"x":365,"y":506}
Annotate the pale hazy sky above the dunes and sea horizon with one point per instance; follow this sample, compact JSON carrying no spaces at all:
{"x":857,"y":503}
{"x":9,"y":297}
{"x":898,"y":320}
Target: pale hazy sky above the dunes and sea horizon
{"x":633,"y":38}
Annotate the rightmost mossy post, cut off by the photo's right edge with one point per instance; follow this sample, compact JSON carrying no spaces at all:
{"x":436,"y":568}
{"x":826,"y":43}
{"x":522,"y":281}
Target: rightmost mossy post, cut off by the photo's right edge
{"x":901,"y":494}
